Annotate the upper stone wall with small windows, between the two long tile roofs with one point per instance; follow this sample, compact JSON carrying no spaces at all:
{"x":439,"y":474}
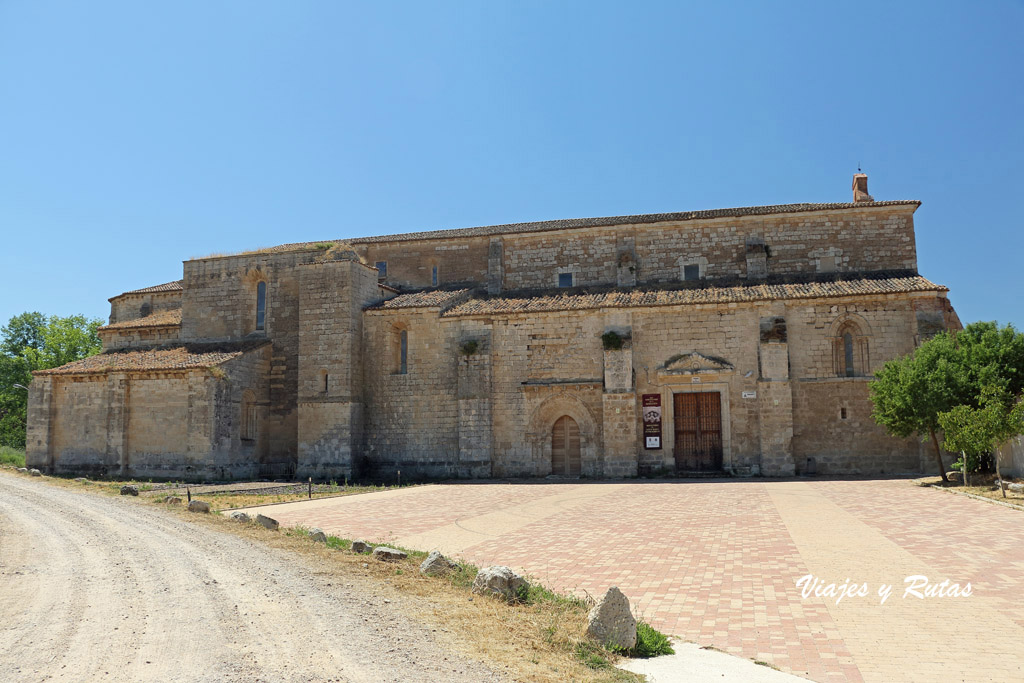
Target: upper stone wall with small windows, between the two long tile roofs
{"x":866,"y":239}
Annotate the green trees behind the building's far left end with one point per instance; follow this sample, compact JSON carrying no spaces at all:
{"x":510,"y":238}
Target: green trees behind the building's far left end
{"x":32,"y":341}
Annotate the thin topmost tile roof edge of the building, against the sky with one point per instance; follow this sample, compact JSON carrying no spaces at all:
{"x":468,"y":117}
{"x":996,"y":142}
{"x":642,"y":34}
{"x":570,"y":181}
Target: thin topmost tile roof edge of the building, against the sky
{"x":545,"y":226}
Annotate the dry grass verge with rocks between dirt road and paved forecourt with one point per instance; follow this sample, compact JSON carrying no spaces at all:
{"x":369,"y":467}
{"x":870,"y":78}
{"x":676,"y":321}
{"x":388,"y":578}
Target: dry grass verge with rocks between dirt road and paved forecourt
{"x":542,"y":641}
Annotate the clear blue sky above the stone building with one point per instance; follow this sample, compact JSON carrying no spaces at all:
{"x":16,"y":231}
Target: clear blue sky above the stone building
{"x":135,"y":136}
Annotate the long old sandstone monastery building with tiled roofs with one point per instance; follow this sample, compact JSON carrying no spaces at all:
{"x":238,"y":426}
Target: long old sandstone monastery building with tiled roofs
{"x":734,"y":340}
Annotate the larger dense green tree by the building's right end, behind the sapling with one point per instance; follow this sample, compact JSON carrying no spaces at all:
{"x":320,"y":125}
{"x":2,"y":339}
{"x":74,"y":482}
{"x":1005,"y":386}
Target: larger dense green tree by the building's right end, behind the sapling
{"x":946,"y":373}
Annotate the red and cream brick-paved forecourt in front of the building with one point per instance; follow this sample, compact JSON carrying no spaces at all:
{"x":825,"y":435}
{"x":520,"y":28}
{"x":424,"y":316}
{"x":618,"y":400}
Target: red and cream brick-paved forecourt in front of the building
{"x":717,"y":564}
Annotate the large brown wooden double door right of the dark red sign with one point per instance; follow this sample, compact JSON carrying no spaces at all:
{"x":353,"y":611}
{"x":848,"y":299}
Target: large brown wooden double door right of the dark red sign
{"x":699,"y":432}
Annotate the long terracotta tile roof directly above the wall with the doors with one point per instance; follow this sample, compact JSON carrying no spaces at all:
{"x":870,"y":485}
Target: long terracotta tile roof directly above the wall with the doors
{"x":712,"y":295}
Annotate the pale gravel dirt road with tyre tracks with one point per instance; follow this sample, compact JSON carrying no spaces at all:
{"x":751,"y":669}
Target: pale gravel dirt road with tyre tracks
{"x":104,"y":589}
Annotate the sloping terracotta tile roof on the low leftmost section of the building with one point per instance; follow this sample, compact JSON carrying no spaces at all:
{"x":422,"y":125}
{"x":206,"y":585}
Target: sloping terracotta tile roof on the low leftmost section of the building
{"x":184,"y":357}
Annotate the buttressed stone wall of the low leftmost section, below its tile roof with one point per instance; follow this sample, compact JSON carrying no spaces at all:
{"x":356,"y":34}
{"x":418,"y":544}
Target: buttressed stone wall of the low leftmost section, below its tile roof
{"x":177,"y":424}
